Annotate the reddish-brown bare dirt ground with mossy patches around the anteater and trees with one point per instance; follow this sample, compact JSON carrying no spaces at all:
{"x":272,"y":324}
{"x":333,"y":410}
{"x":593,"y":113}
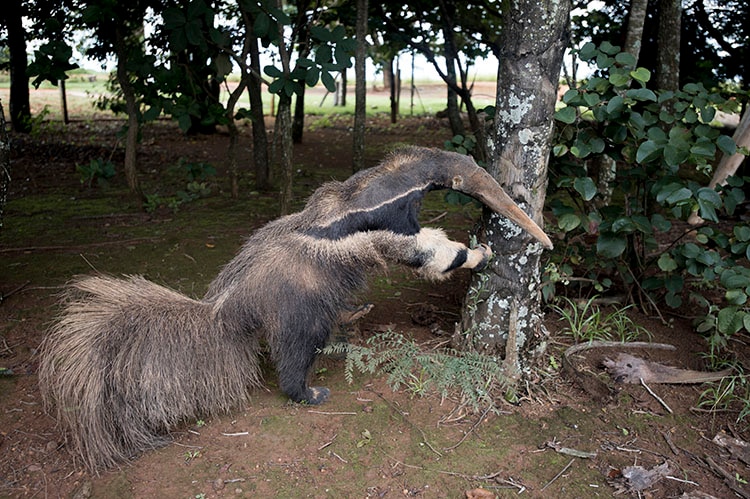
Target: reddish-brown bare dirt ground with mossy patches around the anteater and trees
{"x":367,"y":441}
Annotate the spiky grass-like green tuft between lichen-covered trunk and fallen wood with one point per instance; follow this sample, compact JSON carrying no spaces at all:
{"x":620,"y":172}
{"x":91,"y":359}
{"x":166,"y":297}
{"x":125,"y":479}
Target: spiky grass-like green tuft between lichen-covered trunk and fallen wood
{"x":586,"y":322}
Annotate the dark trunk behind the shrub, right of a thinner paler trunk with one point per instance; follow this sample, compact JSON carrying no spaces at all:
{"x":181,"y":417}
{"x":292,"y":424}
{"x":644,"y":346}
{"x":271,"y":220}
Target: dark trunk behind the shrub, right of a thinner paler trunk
{"x":668,"y":45}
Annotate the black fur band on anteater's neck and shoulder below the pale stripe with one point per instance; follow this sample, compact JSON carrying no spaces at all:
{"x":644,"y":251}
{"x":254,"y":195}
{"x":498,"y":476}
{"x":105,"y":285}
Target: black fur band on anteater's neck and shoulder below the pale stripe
{"x":399,"y":216}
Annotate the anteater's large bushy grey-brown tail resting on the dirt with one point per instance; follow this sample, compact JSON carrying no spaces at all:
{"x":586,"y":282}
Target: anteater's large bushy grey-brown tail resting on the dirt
{"x":130,"y":359}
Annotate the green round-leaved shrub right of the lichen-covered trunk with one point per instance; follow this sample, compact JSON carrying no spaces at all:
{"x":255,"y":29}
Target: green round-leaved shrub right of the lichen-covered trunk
{"x":624,"y":227}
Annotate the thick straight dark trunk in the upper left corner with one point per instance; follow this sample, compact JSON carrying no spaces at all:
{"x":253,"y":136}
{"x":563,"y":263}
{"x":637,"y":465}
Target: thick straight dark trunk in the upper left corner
{"x":20,"y":110}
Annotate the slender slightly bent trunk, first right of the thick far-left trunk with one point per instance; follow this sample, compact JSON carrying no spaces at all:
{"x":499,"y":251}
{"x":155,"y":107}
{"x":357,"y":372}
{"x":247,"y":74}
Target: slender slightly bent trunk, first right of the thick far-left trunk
{"x":131,"y":109}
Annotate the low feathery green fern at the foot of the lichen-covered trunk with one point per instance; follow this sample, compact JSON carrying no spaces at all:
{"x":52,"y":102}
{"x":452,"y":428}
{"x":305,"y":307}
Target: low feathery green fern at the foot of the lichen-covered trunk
{"x":473,"y":376}
